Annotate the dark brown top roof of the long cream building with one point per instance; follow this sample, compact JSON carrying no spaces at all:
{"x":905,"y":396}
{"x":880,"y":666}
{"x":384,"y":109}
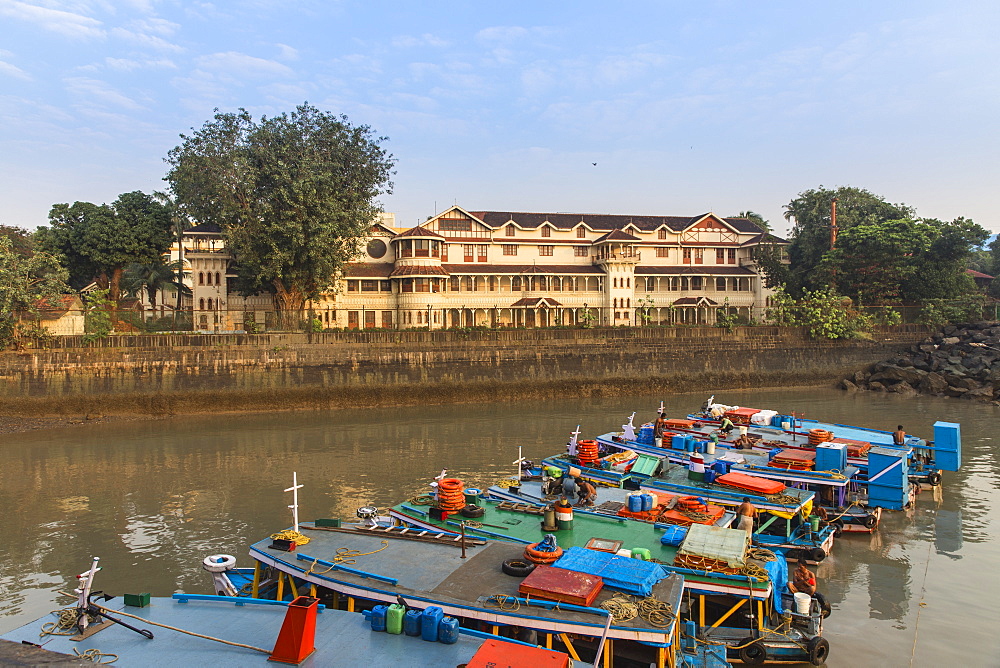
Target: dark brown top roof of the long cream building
{"x":604,"y":222}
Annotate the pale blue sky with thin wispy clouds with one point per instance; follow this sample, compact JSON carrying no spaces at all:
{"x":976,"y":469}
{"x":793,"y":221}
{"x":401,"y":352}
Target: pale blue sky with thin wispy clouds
{"x":684,"y":107}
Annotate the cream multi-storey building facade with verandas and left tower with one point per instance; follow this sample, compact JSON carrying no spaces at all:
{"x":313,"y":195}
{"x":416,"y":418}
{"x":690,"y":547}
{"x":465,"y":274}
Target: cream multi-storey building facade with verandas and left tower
{"x":490,"y":268}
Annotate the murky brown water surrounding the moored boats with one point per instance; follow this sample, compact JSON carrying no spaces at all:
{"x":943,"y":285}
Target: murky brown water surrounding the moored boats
{"x":153,"y":499}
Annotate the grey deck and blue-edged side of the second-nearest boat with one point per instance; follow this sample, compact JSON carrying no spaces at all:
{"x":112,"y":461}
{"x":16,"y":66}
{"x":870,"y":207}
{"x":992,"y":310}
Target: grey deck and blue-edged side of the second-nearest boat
{"x":435,"y":574}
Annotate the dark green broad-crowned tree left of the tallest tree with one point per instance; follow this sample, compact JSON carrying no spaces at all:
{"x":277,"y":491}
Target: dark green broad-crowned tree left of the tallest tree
{"x":97,"y":242}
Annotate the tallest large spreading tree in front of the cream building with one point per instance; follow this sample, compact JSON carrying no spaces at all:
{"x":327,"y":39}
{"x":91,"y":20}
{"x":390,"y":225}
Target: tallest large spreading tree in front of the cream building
{"x":294,"y":195}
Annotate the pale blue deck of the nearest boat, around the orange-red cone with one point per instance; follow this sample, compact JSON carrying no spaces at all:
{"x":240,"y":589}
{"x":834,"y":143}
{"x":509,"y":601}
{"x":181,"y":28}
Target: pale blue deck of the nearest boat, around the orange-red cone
{"x":342,"y":638}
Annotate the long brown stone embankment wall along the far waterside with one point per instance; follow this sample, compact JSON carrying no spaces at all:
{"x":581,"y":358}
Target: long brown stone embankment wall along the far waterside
{"x":168,"y":374}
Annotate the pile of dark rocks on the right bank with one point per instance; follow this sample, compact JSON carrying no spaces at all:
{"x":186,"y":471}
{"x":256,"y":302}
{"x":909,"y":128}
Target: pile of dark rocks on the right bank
{"x":958,"y":361}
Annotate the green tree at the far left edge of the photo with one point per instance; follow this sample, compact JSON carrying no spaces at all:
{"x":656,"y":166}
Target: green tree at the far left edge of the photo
{"x":27,"y":284}
